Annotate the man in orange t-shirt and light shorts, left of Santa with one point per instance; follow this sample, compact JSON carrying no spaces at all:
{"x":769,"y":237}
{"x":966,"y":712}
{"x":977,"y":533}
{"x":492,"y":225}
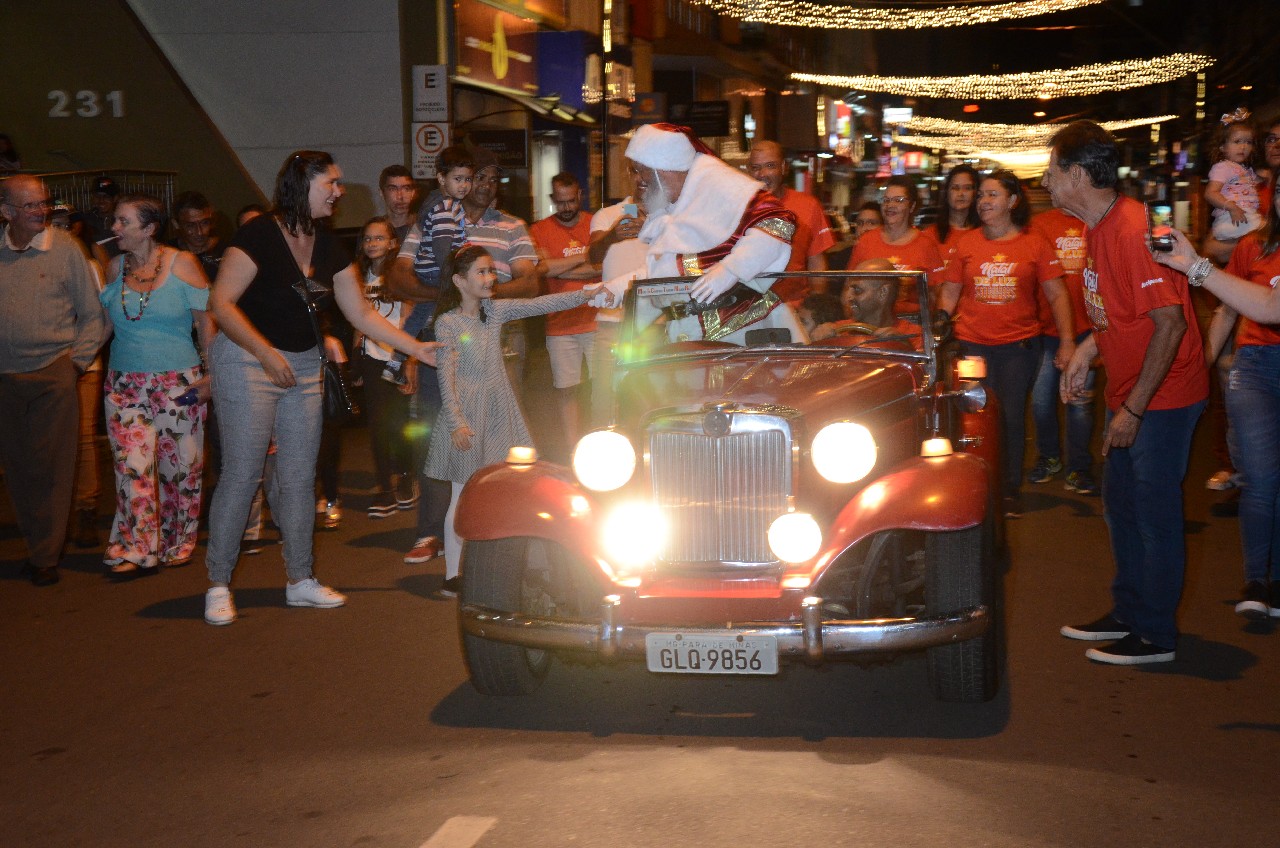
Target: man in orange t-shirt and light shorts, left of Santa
{"x":563,"y":244}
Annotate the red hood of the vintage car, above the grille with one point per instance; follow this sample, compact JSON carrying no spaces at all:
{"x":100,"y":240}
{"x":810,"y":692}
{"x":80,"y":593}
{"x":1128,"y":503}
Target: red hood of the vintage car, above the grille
{"x":820,"y":386}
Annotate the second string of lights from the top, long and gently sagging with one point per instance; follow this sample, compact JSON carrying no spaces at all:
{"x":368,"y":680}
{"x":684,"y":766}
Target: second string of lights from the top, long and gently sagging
{"x":1044,"y":85}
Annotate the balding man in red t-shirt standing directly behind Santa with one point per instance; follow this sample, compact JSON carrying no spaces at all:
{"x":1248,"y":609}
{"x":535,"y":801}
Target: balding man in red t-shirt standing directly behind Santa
{"x":813,"y":236}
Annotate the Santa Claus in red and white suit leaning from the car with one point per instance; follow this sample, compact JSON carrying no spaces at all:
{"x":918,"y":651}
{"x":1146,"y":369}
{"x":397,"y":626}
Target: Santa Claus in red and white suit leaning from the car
{"x":710,"y":221}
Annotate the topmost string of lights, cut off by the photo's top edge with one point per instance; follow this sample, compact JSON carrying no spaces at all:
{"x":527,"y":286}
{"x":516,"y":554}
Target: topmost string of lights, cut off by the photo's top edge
{"x":801,"y":13}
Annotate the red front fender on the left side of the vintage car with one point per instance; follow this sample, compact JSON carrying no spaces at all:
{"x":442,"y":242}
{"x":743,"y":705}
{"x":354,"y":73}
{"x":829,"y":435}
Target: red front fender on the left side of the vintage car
{"x":540,"y":500}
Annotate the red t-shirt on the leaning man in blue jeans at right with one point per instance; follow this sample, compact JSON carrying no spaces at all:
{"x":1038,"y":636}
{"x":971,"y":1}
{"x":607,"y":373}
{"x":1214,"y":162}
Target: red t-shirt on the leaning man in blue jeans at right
{"x":1122,"y":285}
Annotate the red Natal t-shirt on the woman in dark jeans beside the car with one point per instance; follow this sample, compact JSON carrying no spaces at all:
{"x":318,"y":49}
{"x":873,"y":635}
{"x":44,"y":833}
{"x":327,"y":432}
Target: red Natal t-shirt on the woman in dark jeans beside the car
{"x":998,"y":286}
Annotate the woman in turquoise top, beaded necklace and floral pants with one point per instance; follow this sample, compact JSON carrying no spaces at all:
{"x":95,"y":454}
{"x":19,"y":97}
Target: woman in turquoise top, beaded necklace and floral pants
{"x":156,"y":393}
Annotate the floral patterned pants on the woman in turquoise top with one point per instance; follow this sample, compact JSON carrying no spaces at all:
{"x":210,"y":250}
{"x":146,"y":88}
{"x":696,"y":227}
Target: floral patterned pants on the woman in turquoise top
{"x":158,"y":448}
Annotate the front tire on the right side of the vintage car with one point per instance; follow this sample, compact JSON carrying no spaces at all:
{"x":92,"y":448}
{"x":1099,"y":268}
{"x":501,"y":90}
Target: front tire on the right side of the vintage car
{"x":962,"y":575}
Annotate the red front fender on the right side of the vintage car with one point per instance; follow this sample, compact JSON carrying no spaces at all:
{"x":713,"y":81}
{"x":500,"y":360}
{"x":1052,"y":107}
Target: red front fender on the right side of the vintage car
{"x":925,"y":494}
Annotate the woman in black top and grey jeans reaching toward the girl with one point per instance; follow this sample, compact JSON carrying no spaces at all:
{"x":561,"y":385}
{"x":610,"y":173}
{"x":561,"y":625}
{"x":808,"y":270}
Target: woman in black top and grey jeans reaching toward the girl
{"x":267,"y":371}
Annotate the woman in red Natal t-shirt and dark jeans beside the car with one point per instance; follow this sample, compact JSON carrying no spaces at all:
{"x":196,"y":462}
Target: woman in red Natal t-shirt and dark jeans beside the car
{"x":990,"y":286}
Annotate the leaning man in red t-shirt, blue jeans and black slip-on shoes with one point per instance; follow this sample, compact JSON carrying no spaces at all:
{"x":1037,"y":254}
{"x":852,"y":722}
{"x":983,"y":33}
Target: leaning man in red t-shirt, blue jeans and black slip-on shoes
{"x":1158,"y":385}
